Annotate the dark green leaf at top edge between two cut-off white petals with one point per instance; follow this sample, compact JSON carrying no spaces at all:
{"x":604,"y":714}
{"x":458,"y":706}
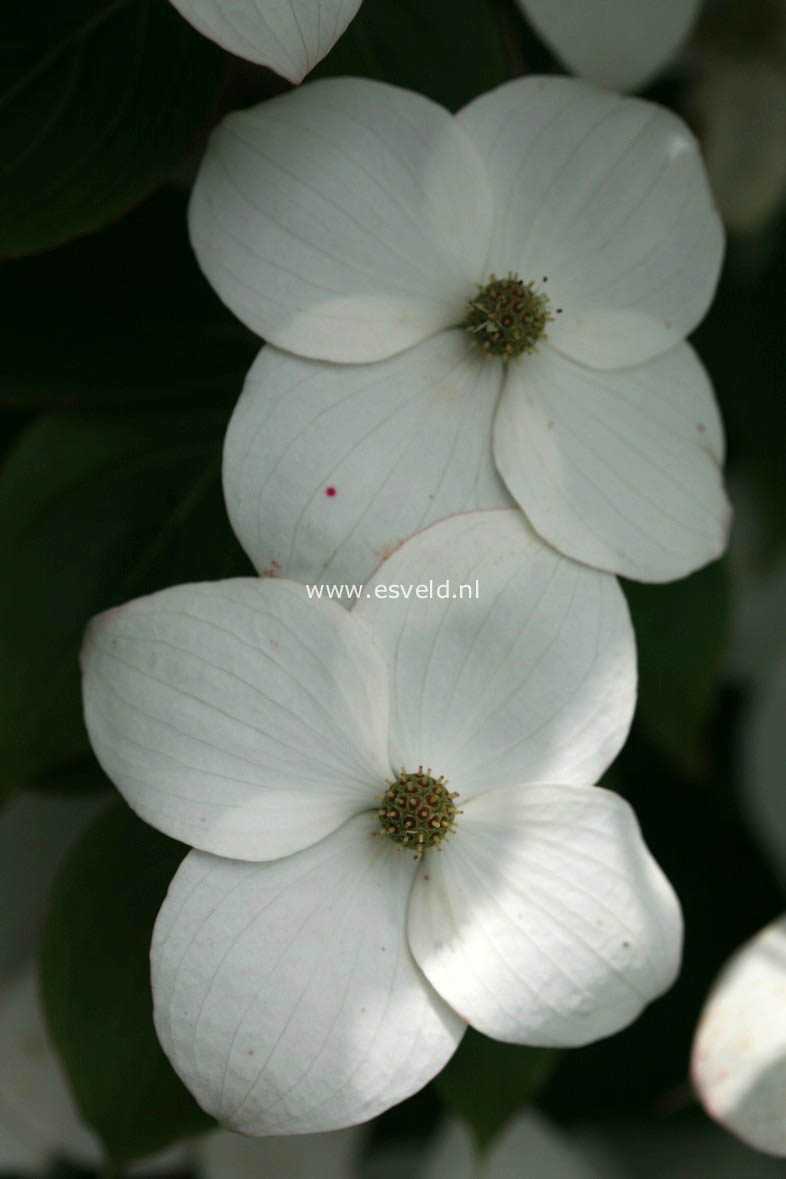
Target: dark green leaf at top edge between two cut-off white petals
{"x":450,"y":50}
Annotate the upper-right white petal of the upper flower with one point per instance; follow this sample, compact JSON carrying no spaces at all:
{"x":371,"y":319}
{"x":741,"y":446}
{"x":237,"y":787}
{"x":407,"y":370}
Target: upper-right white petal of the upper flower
{"x":609,"y":199}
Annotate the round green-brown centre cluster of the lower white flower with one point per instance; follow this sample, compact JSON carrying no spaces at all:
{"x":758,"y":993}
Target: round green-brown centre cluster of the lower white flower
{"x":418,"y":812}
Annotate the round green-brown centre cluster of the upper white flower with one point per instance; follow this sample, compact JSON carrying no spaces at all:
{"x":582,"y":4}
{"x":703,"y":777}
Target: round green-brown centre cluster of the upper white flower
{"x":507,"y":317}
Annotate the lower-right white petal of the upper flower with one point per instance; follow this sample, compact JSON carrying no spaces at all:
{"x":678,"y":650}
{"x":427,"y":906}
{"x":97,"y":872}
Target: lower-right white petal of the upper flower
{"x":619,"y":470}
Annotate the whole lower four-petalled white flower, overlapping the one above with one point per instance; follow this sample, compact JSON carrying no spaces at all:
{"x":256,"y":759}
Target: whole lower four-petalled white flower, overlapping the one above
{"x":308,"y":970}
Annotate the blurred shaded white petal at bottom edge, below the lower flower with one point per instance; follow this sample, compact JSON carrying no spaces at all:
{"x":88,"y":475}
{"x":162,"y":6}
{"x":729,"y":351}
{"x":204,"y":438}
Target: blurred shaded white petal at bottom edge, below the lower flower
{"x":227,"y":1156}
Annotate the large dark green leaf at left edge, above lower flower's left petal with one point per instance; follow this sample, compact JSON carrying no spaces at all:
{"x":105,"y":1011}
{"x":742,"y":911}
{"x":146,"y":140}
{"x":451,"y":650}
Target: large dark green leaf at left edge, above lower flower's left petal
{"x":96,"y":509}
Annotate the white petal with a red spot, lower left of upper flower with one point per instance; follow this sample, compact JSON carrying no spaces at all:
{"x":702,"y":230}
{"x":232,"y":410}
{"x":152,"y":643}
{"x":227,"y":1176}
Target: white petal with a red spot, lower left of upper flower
{"x":328,"y":469}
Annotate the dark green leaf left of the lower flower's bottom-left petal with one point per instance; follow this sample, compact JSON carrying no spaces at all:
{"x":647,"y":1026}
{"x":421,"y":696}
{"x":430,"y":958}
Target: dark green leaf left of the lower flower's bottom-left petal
{"x":96,"y":987}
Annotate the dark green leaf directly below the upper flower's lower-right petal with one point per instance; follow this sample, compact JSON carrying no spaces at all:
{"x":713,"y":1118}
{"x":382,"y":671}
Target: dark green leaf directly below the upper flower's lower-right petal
{"x":682,"y":631}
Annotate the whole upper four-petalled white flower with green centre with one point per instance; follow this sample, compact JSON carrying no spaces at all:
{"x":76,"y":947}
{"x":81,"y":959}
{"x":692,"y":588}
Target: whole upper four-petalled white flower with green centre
{"x":506,"y":291}
